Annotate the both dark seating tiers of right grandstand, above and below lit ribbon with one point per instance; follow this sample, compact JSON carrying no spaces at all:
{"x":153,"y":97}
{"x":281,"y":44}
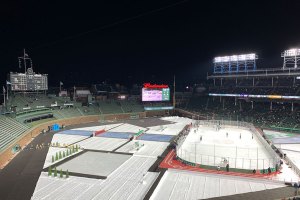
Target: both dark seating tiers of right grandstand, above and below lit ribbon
{"x":267,"y":113}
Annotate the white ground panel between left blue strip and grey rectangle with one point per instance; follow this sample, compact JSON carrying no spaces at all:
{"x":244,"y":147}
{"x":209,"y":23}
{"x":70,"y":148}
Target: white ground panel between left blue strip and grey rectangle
{"x":102,"y":143}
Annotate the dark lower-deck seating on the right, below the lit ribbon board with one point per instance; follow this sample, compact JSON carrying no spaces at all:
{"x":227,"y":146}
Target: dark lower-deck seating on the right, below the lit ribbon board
{"x":261,"y":114}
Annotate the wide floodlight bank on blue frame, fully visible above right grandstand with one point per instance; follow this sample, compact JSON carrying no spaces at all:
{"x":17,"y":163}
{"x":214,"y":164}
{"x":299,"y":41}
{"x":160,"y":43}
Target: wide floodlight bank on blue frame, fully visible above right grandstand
{"x":235,"y":63}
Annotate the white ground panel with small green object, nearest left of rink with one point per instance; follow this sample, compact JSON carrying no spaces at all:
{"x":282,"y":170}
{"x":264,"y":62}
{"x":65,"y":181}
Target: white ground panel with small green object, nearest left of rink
{"x":147,"y":148}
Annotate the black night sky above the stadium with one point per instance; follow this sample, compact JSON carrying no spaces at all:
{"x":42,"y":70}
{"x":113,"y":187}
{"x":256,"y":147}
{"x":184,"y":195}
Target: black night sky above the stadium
{"x":140,"y":41}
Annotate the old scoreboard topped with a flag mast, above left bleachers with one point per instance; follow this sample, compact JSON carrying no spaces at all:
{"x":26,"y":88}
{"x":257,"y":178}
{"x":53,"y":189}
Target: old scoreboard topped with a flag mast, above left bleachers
{"x":28,"y":81}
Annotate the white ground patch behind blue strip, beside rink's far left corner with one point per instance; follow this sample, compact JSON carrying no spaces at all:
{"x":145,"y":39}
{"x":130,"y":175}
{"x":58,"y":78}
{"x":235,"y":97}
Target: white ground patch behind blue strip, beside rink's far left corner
{"x":169,"y":129}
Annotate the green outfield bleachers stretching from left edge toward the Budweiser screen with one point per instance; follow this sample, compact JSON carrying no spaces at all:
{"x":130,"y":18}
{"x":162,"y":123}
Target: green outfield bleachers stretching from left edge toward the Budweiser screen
{"x":37,"y":105}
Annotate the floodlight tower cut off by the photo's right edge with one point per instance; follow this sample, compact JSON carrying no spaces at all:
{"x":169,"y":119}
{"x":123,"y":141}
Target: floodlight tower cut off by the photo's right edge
{"x":291,"y":58}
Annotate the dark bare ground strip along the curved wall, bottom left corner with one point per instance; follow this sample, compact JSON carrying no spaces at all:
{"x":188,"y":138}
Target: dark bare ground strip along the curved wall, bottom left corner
{"x":19,"y":177}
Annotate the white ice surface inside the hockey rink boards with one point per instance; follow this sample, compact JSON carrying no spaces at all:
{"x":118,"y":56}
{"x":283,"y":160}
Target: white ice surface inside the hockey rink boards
{"x":215,"y":146}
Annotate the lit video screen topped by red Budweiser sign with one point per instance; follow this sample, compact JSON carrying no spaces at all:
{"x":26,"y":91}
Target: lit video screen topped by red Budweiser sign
{"x":150,"y":93}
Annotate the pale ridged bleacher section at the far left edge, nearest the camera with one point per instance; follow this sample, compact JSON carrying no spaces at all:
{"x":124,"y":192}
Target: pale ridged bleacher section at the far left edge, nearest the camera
{"x":10,"y":130}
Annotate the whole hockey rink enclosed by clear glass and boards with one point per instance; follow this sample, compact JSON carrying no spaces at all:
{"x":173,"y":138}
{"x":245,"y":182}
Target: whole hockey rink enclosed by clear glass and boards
{"x":218,"y":143}
